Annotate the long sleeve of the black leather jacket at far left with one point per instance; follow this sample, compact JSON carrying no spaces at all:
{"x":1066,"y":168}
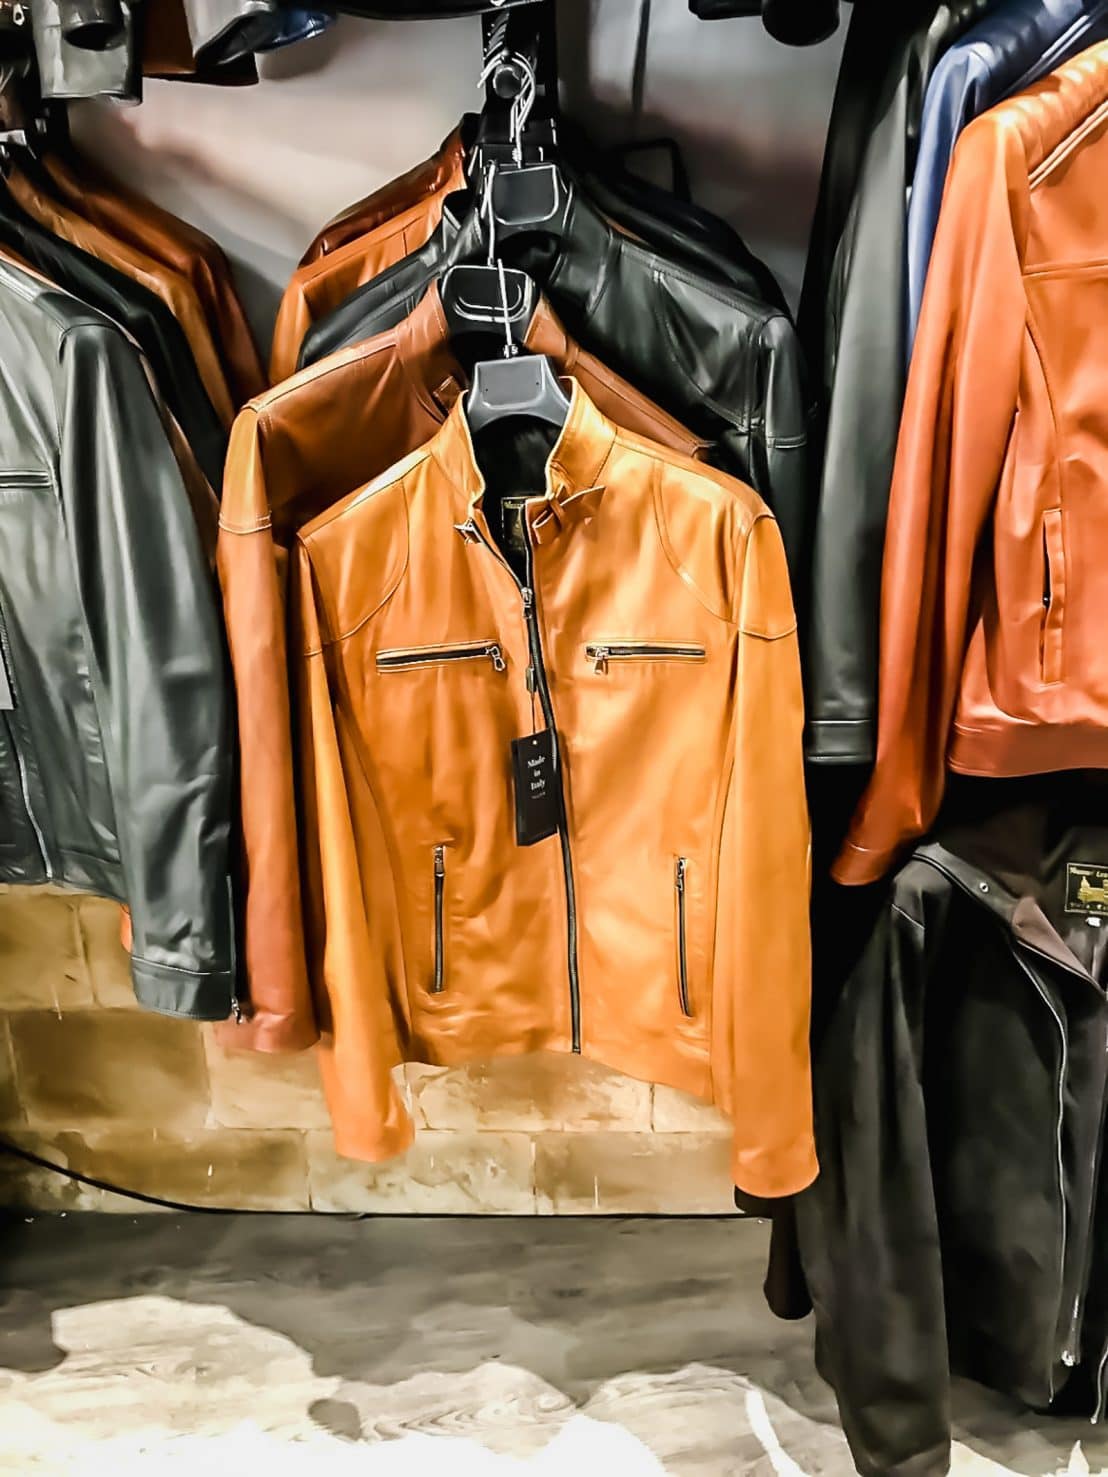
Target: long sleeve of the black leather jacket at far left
{"x":157,"y":671}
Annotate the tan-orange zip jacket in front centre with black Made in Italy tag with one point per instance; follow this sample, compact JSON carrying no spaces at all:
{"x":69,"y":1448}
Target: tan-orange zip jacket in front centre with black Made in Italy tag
{"x":646,"y":618}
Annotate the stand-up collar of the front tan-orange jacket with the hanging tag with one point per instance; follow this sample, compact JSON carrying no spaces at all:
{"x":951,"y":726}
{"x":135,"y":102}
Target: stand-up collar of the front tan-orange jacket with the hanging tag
{"x":575,"y":466}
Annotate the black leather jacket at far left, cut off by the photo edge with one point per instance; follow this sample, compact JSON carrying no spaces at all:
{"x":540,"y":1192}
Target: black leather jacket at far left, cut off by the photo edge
{"x":116,"y":744}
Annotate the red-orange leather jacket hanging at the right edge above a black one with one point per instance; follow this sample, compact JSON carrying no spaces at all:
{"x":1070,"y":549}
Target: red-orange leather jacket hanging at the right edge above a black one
{"x":995,"y":590}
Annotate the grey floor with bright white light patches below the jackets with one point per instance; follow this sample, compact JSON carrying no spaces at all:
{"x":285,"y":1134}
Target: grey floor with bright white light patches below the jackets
{"x":400,"y":1348}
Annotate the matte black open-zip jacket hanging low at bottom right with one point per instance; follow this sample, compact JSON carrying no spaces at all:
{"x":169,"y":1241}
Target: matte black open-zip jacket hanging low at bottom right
{"x":960,"y":1101}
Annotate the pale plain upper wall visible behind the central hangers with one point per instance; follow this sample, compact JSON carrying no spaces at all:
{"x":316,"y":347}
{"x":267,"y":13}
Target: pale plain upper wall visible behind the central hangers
{"x":262,"y":169}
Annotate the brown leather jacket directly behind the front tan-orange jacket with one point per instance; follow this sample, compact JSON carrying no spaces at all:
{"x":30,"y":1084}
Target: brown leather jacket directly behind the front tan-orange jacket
{"x":295,"y":453}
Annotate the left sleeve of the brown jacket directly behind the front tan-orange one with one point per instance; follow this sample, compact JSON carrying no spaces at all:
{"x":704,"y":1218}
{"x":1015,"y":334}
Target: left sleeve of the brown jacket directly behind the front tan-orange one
{"x":253,"y":577}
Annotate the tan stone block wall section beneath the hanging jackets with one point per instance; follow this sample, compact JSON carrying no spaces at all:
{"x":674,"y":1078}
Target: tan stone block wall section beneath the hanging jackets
{"x":92,"y":1083}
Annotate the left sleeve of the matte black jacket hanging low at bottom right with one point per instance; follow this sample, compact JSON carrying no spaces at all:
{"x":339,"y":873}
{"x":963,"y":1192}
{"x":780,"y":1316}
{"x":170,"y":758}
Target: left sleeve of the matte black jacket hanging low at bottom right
{"x":868,"y":1228}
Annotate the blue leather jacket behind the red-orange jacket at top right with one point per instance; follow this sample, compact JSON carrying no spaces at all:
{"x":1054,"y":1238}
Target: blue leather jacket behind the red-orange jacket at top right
{"x":1010,"y":49}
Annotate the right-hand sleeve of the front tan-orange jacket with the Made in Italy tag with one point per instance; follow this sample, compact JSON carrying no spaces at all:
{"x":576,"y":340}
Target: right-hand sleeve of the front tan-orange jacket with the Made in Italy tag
{"x":762,"y":1010}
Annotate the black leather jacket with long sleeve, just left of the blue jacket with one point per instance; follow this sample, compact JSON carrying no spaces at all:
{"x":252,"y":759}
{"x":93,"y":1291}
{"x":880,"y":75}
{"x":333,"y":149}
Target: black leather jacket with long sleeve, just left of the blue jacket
{"x":853,"y":327}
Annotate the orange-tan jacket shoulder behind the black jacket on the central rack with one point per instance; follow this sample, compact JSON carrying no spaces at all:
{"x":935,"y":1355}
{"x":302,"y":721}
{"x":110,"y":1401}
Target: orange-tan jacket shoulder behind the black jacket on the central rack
{"x":315,"y":290}
